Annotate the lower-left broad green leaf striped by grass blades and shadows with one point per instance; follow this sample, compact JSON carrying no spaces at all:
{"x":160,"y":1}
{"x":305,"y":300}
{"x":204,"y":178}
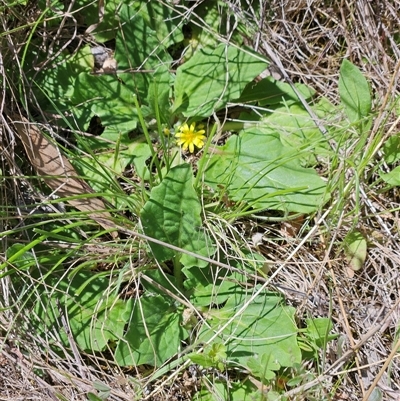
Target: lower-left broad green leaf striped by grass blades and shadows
{"x":95,"y":315}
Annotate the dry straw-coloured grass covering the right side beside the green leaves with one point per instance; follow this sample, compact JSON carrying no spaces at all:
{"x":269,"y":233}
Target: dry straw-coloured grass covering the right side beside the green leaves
{"x":310,"y":39}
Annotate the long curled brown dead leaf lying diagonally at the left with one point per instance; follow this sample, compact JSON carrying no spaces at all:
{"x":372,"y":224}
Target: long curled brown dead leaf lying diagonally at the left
{"x":59,"y":174}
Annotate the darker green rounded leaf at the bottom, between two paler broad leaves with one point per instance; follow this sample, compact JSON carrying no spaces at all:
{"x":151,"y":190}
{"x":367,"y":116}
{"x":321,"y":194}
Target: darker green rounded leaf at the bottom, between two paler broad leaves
{"x":154,"y":333}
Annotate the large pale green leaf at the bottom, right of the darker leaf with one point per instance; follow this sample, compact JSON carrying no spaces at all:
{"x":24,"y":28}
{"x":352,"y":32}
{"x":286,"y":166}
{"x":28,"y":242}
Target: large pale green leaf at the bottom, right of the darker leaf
{"x":264,"y":327}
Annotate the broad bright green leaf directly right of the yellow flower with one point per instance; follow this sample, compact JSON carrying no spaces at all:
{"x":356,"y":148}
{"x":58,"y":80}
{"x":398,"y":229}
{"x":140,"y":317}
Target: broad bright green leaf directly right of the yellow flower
{"x":257,"y":168}
